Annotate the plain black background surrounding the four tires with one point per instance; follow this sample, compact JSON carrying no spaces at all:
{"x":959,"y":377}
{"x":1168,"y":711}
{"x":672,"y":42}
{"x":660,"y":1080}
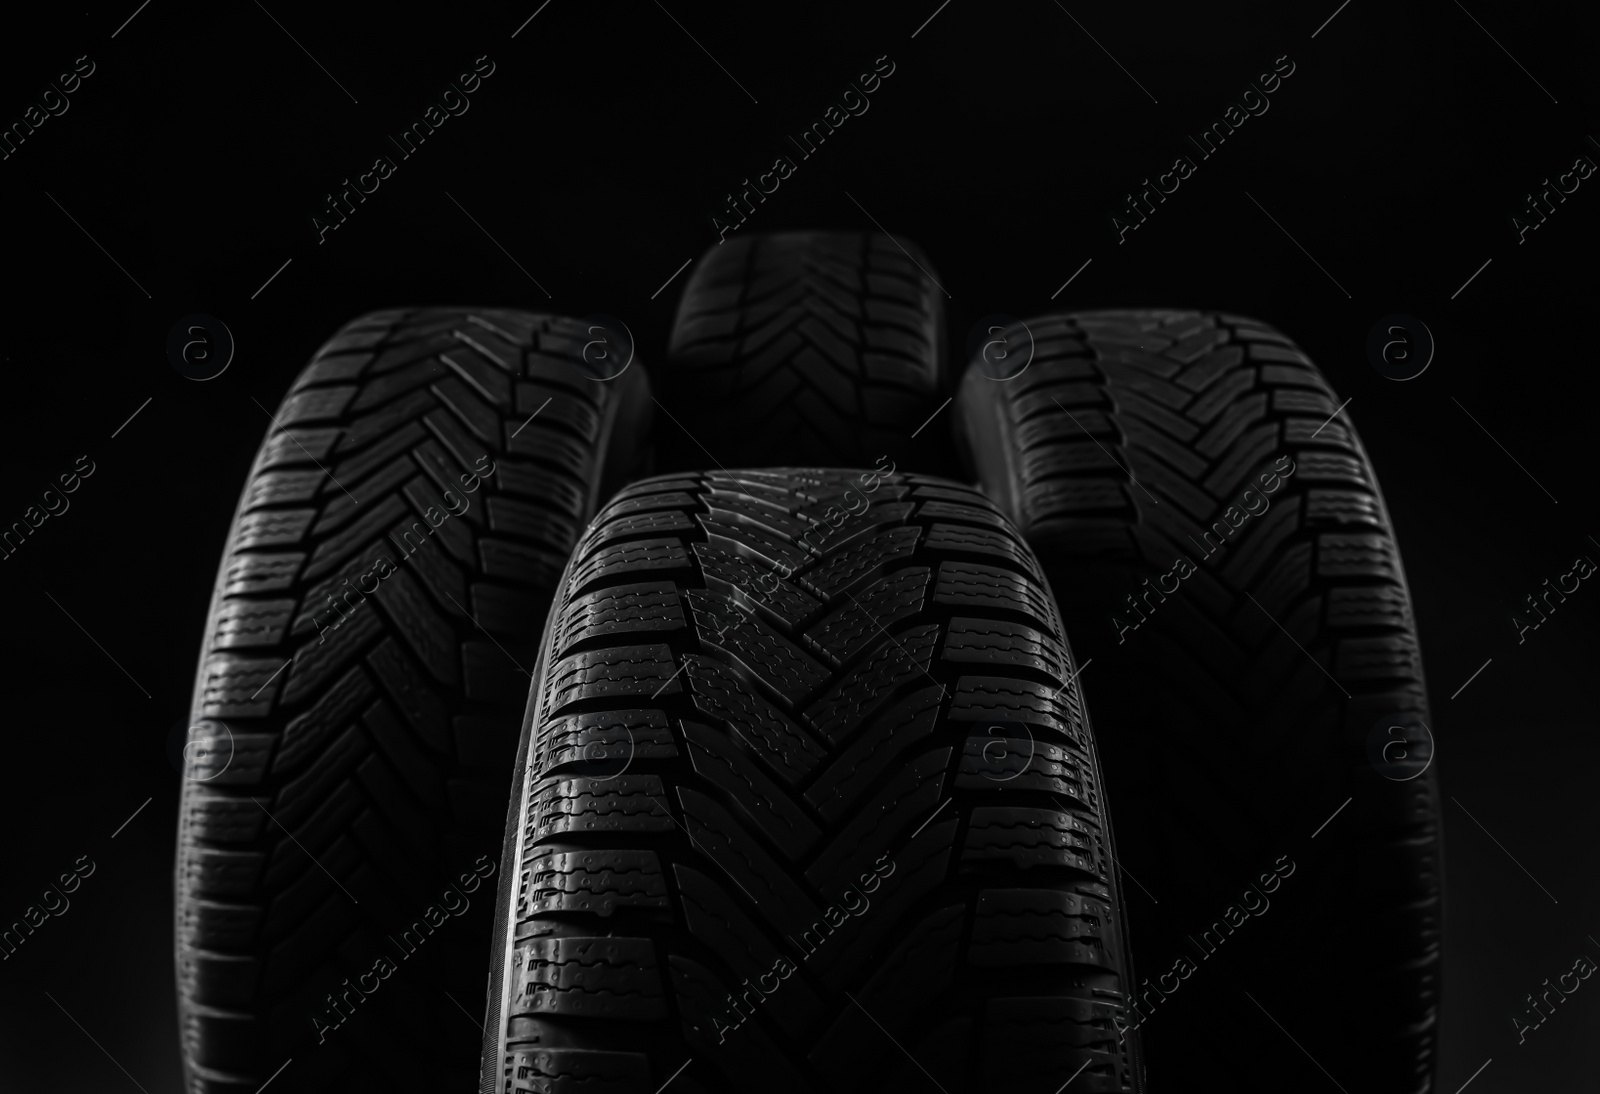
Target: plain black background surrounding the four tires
{"x":206,"y":140}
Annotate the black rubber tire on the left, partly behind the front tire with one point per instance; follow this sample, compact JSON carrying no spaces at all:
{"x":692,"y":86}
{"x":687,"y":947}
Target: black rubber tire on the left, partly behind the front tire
{"x":361,"y":690}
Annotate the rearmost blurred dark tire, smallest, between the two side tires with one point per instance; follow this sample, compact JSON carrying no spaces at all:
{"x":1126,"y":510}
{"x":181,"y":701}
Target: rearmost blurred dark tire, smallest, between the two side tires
{"x":806,"y":348}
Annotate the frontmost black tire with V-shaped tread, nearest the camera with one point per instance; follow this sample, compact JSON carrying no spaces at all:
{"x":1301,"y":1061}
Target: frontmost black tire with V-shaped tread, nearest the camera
{"x":807,"y":807}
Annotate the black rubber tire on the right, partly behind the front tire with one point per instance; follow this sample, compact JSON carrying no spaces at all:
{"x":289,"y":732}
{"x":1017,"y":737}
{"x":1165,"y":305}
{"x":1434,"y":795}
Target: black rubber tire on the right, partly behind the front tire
{"x":1236,"y":703}
